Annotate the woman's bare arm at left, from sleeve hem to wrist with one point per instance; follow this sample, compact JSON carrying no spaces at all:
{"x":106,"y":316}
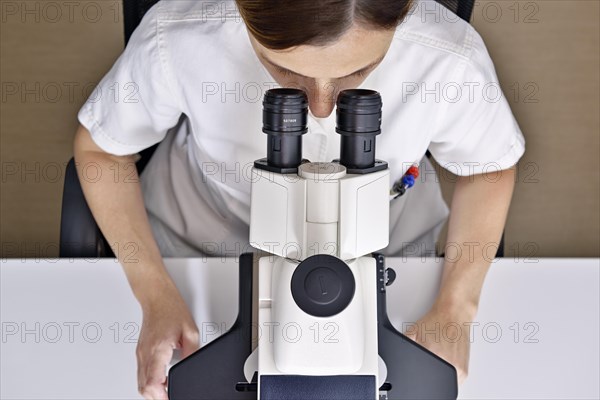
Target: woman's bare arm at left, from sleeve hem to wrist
{"x":113,"y":192}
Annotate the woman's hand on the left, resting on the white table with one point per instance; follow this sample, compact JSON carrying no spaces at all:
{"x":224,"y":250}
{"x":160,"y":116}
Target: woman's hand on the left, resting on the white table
{"x":167,"y":325}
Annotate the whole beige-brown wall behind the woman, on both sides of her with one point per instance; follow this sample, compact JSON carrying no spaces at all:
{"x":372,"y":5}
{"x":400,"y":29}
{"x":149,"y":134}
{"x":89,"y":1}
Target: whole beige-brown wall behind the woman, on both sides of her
{"x":546,"y":56}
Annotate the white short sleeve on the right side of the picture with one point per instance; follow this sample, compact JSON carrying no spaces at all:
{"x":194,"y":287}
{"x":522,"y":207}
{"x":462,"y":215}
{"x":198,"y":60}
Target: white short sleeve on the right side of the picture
{"x":476,"y":131}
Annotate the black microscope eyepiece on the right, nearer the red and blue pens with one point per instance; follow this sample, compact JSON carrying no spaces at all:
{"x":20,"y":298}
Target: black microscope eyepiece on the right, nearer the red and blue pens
{"x":358,"y":120}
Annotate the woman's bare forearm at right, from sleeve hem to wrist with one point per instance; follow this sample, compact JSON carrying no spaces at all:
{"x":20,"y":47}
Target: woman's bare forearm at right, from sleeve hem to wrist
{"x":478,"y":213}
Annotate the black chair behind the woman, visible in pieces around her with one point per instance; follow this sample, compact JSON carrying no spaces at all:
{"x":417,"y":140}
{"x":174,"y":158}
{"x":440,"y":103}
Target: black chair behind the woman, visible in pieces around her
{"x":79,"y":233}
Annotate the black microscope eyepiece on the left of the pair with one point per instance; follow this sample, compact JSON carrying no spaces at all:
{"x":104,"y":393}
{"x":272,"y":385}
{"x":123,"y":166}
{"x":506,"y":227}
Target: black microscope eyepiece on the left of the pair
{"x":285,"y":113}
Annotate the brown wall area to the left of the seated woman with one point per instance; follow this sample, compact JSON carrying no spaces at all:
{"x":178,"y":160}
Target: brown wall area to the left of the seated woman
{"x":37,"y":134}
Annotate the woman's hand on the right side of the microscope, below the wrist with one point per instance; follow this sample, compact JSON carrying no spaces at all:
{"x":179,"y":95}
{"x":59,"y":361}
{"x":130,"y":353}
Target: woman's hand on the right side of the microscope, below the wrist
{"x":446,"y":333}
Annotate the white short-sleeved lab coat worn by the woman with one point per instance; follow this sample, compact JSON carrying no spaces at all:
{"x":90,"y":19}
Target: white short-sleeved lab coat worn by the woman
{"x":190,"y":78}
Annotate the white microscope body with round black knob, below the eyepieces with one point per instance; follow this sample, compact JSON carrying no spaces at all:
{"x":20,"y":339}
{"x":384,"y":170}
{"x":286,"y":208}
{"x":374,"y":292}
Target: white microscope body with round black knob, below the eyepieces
{"x":317,"y":293}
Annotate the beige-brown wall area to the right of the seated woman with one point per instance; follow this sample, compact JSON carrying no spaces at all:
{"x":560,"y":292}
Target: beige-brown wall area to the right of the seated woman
{"x":557,"y":201}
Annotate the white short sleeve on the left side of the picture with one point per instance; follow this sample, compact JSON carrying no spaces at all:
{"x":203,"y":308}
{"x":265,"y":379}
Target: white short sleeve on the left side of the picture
{"x":133,"y":106}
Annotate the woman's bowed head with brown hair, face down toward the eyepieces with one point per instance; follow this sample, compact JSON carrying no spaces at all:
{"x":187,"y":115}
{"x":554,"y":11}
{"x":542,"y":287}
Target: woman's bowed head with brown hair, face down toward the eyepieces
{"x":321,"y":46}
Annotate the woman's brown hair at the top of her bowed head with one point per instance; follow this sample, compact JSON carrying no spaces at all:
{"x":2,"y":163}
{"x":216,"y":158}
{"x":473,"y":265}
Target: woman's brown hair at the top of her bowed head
{"x":282,"y":24}
